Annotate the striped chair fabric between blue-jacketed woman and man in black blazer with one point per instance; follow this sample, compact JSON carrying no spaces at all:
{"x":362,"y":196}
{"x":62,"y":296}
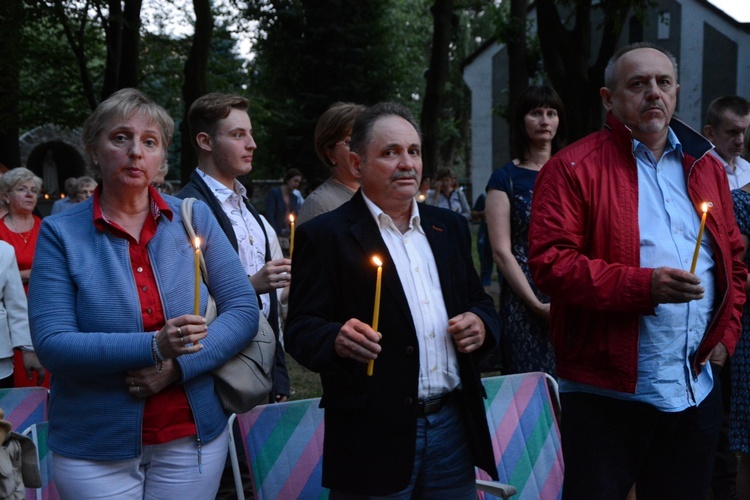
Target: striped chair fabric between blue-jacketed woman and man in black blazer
{"x":284,"y":444}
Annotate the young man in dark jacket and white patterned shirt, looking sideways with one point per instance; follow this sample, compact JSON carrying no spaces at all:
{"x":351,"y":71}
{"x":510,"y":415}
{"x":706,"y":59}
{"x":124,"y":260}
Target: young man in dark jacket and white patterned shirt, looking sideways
{"x":221,"y":133}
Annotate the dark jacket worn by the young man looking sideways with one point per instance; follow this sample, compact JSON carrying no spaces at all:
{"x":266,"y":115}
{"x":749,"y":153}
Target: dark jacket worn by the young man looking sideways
{"x":197,"y":188}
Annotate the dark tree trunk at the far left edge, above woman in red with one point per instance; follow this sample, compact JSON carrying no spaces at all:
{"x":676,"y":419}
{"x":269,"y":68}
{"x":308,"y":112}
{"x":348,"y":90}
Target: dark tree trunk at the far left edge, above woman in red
{"x":12,"y":14}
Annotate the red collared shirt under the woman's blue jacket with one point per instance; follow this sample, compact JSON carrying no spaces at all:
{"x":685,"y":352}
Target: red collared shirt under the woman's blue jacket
{"x":167,"y":415}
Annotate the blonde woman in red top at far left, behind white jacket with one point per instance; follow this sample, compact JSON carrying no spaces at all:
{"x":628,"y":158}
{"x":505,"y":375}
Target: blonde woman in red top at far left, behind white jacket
{"x":19,"y":190}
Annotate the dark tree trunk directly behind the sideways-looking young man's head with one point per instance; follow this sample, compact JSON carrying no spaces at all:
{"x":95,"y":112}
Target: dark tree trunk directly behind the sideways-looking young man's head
{"x":195,"y":83}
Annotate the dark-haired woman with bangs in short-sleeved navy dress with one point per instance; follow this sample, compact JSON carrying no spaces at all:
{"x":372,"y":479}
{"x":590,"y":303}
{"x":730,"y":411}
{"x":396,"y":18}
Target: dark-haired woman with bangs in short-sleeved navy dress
{"x":537,"y":132}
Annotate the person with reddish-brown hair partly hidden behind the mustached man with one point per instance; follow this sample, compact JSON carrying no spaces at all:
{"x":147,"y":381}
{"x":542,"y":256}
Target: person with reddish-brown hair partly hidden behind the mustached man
{"x":332,"y":134}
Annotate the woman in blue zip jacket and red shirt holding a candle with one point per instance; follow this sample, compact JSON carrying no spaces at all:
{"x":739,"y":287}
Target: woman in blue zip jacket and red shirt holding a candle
{"x":133,"y":411}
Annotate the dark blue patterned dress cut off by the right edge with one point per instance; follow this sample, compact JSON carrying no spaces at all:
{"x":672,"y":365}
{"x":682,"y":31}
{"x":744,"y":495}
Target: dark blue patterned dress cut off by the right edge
{"x":739,"y":420}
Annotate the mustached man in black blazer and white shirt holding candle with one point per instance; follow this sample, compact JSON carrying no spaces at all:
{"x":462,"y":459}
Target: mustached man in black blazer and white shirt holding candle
{"x":417,"y":425}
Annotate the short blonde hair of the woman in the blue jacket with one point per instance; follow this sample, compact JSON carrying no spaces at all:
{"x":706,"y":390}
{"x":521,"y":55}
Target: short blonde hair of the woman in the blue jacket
{"x":124,"y":104}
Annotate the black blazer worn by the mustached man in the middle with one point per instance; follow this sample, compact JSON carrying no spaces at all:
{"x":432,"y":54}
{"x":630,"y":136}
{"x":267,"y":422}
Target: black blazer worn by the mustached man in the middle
{"x":371,"y":422}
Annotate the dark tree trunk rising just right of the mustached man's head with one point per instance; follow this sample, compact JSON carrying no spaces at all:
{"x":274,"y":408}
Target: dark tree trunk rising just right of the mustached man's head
{"x":437,"y":77}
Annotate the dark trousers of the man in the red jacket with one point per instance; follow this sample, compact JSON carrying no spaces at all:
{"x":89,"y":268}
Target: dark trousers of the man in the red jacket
{"x":609,"y":444}
